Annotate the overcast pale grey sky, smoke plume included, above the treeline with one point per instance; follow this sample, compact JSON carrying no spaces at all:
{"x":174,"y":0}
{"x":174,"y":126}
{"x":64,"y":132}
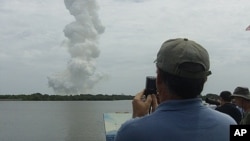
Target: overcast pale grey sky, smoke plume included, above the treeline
{"x":40,"y":52}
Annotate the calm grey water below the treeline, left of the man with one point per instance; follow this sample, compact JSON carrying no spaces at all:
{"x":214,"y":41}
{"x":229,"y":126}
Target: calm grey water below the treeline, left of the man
{"x":56,"y":120}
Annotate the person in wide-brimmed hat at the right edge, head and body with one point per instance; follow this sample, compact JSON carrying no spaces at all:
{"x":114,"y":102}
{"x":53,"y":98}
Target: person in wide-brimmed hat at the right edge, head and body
{"x":241,"y":98}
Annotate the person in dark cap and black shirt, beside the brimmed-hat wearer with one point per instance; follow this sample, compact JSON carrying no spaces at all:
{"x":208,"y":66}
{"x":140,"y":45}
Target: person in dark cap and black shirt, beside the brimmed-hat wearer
{"x":227,"y":107}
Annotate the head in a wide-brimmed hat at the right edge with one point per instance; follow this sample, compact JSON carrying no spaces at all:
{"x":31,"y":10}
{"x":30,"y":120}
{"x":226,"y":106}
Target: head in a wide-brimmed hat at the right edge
{"x":241,"y":96}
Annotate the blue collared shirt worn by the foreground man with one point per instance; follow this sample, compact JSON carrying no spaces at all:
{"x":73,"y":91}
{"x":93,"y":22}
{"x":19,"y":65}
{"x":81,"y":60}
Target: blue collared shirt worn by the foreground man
{"x":178,"y":120}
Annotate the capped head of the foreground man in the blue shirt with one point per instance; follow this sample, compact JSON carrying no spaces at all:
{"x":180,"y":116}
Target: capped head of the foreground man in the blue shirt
{"x":182,"y":68}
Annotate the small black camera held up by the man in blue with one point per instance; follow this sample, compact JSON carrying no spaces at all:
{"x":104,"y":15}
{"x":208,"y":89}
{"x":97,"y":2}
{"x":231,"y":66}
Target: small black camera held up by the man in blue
{"x":150,"y":85}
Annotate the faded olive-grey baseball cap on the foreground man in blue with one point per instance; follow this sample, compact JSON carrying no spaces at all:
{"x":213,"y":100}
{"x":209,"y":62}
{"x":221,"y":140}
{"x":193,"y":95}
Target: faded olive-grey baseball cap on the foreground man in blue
{"x":175,"y":52}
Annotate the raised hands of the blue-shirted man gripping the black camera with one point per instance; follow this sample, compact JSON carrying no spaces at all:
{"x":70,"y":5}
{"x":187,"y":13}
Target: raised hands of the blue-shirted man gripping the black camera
{"x":142,"y":106}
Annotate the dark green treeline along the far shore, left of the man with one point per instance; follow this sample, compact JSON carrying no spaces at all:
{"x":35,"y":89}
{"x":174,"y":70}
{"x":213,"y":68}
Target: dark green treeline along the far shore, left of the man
{"x":46,"y":97}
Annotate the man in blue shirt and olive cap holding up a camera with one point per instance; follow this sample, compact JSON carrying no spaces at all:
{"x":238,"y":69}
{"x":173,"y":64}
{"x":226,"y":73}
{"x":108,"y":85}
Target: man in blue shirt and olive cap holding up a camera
{"x":182,"y":69}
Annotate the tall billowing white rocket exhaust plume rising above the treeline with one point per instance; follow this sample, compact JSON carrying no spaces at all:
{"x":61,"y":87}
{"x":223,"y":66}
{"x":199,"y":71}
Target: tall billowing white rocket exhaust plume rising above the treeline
{"x":82,"y":39}
